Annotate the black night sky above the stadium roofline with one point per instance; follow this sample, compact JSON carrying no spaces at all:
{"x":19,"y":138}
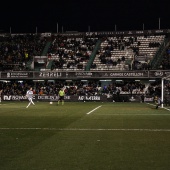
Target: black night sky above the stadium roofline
{"x":80,"y":15}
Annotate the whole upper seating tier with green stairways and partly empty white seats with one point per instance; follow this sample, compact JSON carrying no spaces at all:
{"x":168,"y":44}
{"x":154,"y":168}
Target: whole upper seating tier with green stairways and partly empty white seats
{"x":83,"y":52}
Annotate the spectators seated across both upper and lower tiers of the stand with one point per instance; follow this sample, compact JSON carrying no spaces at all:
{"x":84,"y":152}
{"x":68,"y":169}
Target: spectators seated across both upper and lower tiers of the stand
{"x":69,"y":52}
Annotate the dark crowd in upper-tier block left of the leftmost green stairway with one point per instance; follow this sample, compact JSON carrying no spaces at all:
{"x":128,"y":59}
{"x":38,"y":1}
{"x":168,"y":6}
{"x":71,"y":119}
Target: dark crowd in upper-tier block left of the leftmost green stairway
{"x":17,"y":50}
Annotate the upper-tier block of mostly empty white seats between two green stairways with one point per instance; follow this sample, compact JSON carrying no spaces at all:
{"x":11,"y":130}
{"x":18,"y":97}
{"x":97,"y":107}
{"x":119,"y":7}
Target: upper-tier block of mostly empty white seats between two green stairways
{"x":121,"y":53}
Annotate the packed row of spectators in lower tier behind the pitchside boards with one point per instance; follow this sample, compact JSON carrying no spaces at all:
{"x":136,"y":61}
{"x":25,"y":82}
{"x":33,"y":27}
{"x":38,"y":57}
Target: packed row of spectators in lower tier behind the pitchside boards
{"x":78,"y":87}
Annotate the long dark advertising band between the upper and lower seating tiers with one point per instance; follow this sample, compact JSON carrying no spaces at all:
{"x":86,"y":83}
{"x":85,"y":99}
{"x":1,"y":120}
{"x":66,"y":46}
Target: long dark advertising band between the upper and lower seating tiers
{"x":83,"y":74}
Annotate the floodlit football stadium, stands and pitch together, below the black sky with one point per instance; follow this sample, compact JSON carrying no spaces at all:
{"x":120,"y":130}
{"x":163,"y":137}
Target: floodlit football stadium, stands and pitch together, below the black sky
{"x":107,"y":120}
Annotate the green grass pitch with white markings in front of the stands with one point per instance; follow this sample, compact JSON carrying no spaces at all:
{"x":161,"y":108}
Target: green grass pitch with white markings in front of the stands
{"x":84,"y":136}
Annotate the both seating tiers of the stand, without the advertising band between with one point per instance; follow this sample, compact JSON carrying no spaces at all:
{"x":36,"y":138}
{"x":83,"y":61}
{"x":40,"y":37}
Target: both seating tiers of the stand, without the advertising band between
{"x":84,"y":52}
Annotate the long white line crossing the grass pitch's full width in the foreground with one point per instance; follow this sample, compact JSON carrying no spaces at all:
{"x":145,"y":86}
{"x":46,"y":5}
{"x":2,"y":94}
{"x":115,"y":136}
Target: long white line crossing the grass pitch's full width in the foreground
{"x":76,"y":129}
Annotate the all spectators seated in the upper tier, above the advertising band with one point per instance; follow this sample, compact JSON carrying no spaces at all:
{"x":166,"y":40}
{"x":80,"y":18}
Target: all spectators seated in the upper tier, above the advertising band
{"x":72,"y":51}
